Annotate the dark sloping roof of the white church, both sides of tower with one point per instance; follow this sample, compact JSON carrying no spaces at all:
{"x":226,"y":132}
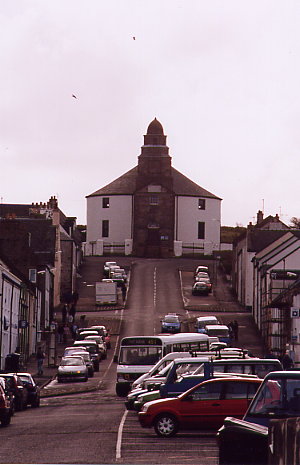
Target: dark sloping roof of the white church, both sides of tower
{"x":126,"y":185}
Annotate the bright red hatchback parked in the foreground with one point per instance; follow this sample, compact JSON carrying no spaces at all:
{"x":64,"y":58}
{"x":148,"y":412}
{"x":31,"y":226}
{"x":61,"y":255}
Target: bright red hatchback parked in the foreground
{"x":203,"y":406}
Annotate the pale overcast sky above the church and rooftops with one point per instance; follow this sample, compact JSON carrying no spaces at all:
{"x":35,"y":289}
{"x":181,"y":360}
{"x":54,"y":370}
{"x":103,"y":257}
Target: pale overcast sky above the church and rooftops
{"x":221,"y":76}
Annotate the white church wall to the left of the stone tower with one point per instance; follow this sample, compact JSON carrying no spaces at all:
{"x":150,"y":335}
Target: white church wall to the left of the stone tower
{"x":119,"y":215}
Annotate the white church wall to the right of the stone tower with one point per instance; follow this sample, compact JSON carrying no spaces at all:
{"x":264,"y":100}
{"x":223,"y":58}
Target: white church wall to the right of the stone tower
{"x":187,"y":216}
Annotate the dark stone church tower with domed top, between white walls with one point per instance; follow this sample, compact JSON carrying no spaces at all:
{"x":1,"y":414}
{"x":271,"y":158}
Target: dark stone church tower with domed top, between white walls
{"x":154,"y":199}
